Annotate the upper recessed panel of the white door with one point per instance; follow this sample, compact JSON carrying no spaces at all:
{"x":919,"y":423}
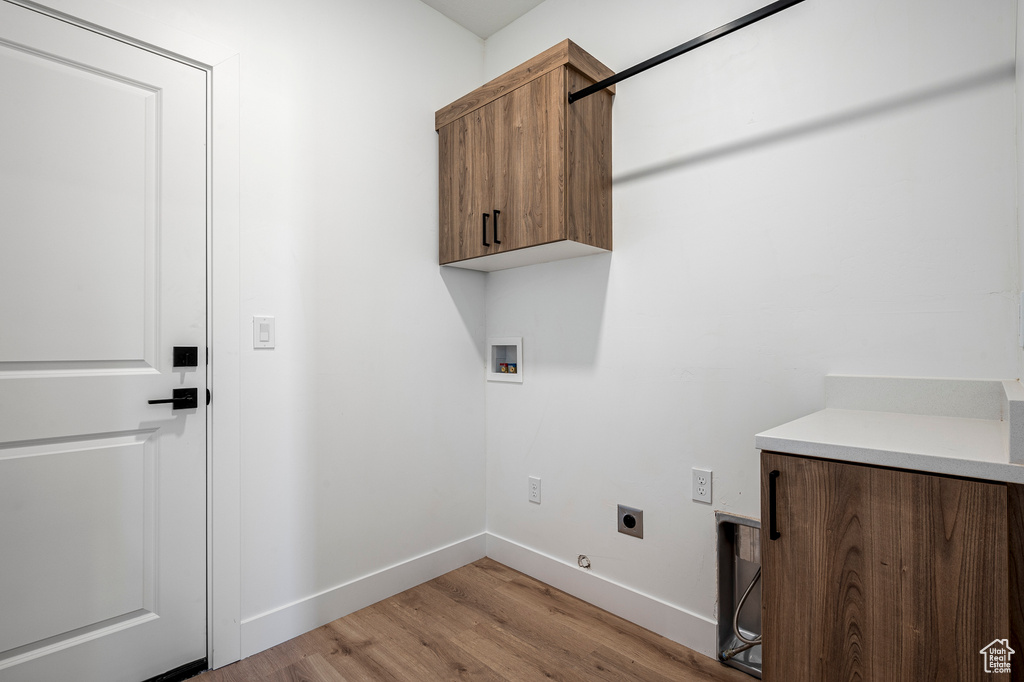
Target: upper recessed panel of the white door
{"x":84,"y":153}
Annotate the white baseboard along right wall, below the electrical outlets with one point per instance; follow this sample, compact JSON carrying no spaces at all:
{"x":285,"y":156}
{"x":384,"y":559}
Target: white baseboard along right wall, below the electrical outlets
{"x":696,"y":632}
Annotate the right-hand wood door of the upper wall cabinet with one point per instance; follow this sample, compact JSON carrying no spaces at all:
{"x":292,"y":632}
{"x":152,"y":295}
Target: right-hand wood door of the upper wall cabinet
{"x":530,"y":164}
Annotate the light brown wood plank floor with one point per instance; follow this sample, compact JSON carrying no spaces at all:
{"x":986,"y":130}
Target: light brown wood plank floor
{"x":483,"y":622}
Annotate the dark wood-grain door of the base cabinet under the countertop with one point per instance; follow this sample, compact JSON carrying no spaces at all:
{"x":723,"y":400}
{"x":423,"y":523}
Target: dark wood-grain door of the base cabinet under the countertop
{"x":880,"y":575}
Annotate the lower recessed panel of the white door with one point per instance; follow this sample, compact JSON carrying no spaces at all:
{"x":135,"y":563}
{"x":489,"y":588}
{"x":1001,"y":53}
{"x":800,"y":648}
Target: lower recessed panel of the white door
{"x":81,"y":534}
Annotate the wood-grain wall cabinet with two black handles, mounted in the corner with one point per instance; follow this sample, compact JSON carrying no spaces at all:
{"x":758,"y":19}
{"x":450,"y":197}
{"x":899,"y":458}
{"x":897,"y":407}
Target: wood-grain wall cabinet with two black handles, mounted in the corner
{"x":525,"y":177}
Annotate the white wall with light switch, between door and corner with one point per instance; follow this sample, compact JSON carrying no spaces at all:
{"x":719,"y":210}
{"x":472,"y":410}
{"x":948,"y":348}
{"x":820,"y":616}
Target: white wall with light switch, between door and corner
{"x":363,"y":433}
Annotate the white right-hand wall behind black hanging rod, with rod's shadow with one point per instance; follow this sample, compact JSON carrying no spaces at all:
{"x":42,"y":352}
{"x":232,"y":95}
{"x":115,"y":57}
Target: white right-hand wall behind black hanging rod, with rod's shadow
{"x":831,"y":191}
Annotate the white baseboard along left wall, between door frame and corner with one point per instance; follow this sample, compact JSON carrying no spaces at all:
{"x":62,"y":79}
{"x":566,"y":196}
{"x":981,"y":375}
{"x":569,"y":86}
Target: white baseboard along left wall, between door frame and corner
{"x":270,"y":629}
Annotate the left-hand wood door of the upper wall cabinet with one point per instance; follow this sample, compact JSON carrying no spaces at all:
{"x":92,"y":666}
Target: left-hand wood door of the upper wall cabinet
{"x":466,"y":152}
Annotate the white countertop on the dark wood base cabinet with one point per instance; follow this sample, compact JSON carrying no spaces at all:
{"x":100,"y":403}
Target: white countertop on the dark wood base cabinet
{"x":972,"y":448}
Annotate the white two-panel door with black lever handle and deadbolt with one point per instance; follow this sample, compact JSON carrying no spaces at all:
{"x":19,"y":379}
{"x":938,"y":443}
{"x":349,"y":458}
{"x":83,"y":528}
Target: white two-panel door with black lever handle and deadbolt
{"x":103,"y":272}
